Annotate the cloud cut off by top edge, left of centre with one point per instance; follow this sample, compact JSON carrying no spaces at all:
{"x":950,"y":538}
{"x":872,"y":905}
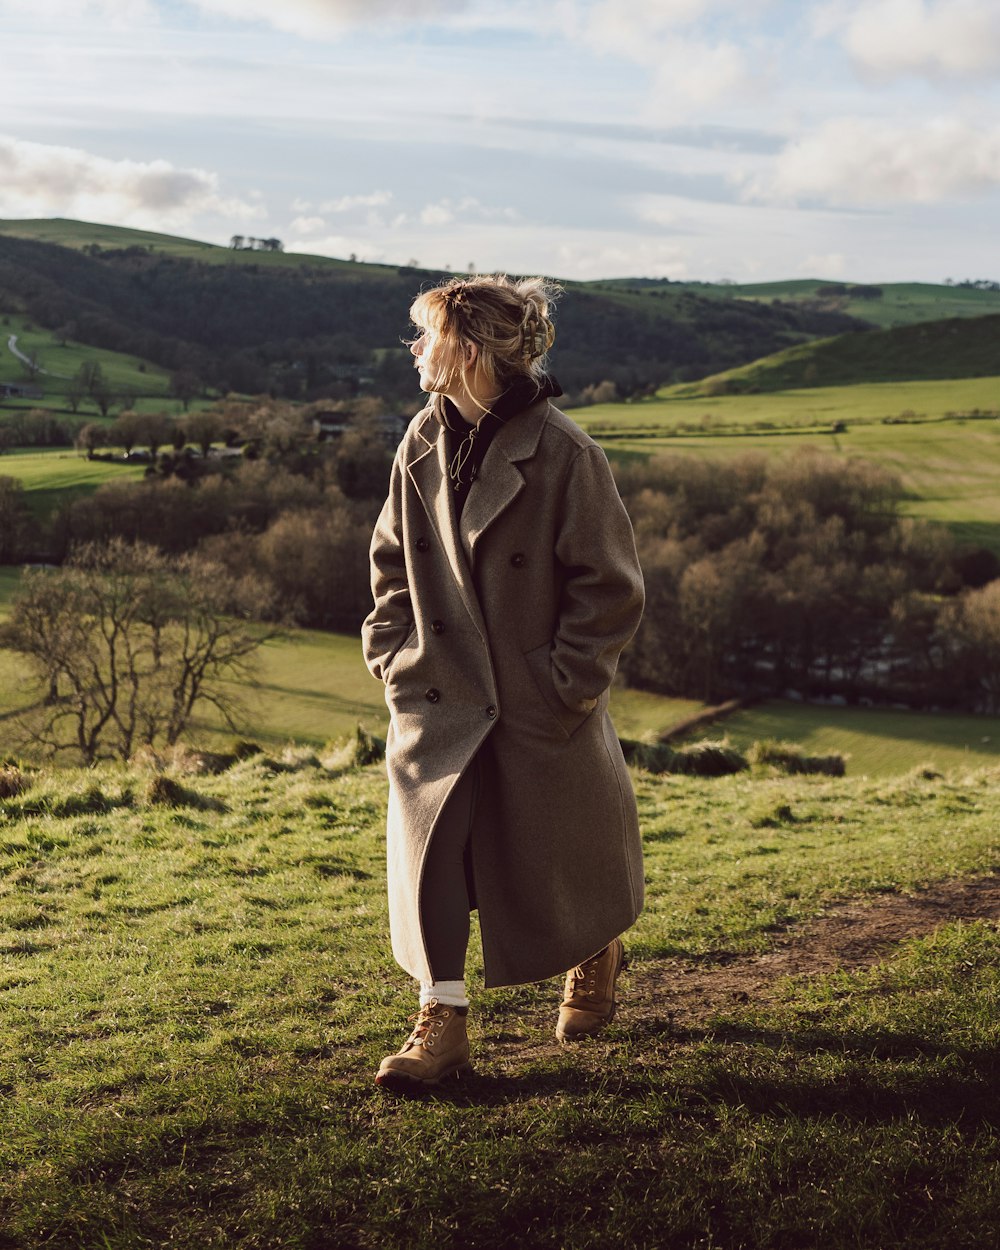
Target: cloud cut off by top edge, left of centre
{"x":331,"y":18}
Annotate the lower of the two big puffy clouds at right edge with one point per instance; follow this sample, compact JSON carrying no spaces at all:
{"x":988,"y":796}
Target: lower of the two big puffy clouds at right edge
{"x":857,"y":161}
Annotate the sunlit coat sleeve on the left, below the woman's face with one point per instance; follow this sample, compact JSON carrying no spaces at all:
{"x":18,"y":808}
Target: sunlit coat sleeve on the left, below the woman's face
{"x":389,"y":623}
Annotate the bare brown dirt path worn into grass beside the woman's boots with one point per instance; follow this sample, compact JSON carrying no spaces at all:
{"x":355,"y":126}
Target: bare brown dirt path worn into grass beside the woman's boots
{"x":849,"y":936}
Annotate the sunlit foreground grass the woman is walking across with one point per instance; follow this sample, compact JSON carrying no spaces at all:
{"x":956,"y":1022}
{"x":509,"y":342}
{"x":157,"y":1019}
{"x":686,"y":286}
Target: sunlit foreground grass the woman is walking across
{"x":198,"y":988}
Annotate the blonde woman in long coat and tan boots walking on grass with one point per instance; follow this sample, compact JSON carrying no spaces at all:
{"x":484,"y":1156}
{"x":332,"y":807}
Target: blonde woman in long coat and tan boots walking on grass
{"x":506,"y":584}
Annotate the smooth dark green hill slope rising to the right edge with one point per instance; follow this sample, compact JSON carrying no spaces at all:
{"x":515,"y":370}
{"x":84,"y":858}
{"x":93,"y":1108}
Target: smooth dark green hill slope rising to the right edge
{"x":929,"y":351}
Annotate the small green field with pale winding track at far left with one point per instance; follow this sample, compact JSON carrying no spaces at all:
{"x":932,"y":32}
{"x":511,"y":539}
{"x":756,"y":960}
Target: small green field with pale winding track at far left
{"x":123,"y":373}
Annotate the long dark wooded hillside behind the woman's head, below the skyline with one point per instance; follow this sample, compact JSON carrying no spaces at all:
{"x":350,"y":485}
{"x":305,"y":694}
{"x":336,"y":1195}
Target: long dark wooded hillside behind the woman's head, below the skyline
{"x":299,"y":326}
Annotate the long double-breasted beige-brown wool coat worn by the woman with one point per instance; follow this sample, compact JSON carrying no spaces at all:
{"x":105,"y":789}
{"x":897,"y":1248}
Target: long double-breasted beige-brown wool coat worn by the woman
{"x":499,"y":636}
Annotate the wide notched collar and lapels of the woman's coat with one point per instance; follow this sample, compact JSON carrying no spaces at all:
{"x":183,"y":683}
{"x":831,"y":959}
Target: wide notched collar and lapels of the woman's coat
{"x":494,"y":493}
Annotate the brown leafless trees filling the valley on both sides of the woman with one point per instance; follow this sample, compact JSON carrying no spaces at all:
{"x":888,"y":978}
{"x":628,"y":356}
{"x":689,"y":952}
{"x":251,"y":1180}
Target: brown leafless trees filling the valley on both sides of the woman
{"x":764,"y":577}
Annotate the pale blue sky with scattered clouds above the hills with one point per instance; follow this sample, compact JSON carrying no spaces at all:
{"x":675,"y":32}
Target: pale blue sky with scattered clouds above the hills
{"x":742,"y":141}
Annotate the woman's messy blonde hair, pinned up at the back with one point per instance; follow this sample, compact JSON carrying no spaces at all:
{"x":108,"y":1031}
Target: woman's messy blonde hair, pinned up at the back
{"x":509,"y":322}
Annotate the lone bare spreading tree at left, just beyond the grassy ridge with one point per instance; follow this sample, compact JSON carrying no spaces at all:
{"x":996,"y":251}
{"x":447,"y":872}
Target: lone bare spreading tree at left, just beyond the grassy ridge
{"x":128,"y":646}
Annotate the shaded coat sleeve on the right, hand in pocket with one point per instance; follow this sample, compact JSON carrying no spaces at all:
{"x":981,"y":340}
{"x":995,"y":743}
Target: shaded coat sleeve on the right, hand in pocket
{"x":603,"y":596}
